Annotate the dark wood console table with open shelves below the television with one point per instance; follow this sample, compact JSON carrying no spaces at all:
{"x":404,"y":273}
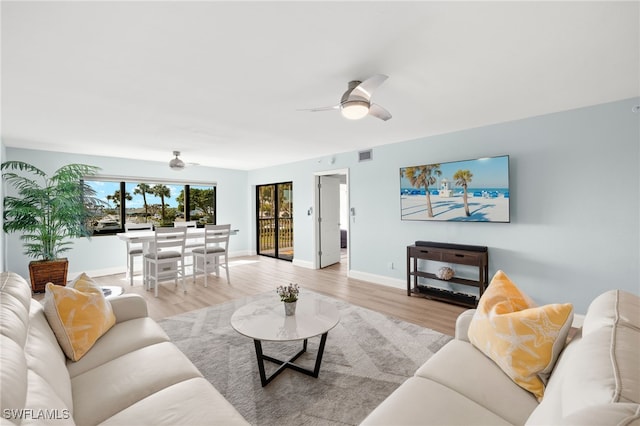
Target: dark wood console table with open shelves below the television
{"x":477,"y":256}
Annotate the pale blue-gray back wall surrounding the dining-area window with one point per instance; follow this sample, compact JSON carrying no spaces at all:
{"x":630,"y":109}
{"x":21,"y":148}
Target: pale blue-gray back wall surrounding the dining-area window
{"x":106,"y":254}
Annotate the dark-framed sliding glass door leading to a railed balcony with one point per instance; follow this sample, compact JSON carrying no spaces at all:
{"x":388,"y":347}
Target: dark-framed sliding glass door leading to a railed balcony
{"x":274,"y":215}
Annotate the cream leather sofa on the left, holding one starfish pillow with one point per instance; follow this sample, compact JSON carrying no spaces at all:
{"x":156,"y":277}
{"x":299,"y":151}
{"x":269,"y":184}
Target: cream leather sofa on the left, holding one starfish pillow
{"x":133,"y":375}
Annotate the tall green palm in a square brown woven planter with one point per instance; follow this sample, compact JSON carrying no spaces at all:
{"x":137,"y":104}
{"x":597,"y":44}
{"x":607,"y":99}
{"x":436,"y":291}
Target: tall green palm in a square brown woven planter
{"x":48,"y":211}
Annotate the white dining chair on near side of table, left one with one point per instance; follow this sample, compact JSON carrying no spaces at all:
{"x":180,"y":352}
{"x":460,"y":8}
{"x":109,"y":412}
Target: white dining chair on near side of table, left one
{"x":166,"y":259}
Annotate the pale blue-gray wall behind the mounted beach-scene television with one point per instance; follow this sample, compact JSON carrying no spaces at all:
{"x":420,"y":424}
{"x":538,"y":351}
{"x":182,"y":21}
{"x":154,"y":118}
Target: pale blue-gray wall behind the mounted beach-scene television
{"x":575,"y":194}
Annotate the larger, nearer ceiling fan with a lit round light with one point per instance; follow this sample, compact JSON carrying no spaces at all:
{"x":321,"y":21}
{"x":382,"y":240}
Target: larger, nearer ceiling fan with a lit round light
{"x":356,"y":101}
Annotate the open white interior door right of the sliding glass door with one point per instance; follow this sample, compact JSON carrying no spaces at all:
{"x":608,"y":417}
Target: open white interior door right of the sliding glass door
{"x":329,"y":220}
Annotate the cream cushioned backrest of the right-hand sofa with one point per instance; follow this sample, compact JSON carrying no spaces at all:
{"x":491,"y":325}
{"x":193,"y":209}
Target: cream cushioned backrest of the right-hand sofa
{"x":600,"y":365}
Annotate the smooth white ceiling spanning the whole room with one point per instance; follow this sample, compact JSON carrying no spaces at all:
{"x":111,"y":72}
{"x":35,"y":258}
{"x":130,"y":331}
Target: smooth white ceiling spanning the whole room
{"x":223,"y":82}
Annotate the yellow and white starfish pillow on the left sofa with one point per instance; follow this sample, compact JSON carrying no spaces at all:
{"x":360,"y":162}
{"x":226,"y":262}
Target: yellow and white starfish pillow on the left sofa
{"x":79,"y":315}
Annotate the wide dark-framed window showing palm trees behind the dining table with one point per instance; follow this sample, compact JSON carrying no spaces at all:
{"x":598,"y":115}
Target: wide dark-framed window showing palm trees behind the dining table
{"x":159,"y":202}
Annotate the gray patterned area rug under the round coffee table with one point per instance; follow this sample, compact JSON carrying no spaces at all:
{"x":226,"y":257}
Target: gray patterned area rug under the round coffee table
{"x":367,"y":355}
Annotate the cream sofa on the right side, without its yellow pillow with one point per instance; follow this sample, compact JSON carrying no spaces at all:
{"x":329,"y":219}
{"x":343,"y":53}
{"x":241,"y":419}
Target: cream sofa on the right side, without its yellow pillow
{"x":596,"y":380}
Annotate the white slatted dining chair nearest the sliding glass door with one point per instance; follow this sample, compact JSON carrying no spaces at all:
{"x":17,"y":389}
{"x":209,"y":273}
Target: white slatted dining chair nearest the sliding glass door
{"x":207,"y":258}
